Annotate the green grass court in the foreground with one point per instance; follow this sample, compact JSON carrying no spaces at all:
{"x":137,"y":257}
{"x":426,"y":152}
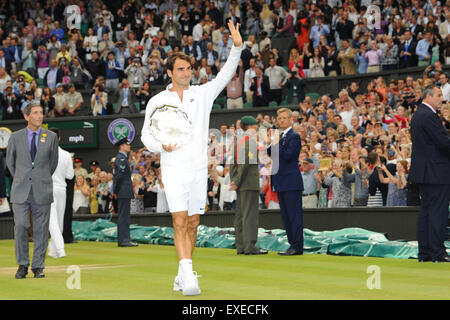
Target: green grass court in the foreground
{"x":147,"y":272}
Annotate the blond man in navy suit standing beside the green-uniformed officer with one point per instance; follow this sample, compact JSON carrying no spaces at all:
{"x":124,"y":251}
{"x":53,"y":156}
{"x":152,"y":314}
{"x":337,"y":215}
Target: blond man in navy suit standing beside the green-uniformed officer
{"x":287,"y":180}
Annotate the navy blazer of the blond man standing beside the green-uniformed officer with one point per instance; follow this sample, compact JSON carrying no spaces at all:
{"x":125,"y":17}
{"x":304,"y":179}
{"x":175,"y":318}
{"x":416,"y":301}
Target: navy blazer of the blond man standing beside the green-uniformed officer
{"x":286,"y":174}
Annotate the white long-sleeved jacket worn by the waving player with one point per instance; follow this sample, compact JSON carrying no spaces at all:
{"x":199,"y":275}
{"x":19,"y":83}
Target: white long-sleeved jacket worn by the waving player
{"x":197,"y":104}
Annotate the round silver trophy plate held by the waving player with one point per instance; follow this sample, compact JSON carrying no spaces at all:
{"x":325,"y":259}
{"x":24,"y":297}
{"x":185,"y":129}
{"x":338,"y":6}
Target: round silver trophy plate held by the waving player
{"x":170,"y":125}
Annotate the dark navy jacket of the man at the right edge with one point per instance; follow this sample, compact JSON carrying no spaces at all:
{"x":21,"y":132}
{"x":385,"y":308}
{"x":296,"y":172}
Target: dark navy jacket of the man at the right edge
{"x":430,"y":158}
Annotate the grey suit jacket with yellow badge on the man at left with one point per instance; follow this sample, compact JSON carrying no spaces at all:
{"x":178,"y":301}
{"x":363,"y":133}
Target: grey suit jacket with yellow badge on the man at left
{"x":25,"y":173}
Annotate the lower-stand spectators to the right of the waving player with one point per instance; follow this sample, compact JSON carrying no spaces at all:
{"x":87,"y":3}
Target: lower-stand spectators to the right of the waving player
{"x":356,"y":148}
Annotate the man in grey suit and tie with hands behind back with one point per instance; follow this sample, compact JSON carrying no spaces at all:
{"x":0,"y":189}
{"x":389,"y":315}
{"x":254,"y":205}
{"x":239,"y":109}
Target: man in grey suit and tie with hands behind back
{"x":32,"y":157}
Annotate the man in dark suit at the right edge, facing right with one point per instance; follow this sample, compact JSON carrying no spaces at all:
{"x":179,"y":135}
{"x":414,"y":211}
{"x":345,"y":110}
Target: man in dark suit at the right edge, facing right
{"x":430,"y":169}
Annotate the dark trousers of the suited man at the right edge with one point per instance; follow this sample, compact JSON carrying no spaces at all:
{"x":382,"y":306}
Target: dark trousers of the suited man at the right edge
{"x":433,"y":220}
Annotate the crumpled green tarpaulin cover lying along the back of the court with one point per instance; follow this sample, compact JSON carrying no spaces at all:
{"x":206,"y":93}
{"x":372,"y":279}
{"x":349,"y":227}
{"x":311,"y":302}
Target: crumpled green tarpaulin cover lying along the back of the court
{"x":348,"y":241}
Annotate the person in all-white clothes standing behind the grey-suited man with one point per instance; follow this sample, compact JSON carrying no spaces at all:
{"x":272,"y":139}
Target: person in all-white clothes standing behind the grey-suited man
{"x":63,"y":171}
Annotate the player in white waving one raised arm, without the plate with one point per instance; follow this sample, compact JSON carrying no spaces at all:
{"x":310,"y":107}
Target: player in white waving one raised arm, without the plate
{"x":184,"y":168}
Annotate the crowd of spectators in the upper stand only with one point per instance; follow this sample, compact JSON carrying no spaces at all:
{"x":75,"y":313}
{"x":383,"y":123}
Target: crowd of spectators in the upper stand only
{"x":118,"y":57}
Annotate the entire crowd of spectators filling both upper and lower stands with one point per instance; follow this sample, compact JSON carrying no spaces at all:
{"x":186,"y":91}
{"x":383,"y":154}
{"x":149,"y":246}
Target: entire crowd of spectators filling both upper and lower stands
{"x":356,"y":143}
